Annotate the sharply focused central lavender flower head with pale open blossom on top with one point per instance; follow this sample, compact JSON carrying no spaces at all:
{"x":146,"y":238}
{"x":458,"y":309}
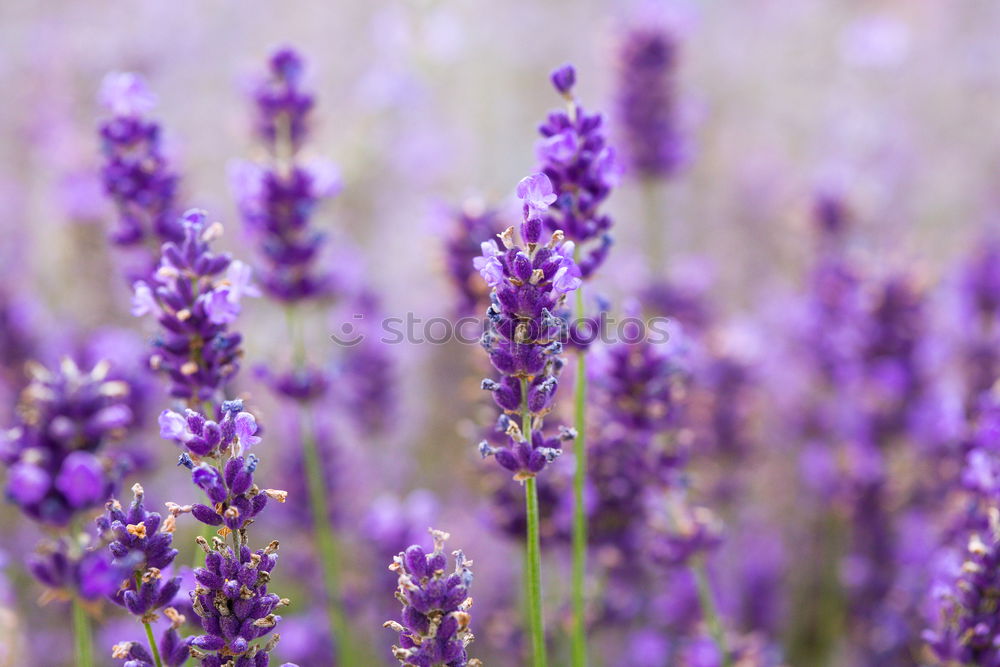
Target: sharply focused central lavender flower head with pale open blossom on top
{"x":529,"y":284}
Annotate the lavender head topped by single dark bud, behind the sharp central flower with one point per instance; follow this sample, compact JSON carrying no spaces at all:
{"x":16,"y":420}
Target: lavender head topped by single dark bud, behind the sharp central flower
{"x":582,"y":170}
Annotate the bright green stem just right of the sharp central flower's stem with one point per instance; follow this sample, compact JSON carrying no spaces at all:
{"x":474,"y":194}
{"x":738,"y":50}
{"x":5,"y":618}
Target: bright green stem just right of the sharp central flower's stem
{"x":579,"y":633}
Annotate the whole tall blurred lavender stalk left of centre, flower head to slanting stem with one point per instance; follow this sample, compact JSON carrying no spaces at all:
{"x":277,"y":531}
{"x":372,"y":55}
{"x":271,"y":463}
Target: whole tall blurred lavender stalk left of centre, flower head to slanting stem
{"x":277,"y":200}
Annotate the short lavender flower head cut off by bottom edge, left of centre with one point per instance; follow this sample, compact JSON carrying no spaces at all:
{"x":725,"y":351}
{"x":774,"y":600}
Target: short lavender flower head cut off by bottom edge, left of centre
{"x":434,"y":624}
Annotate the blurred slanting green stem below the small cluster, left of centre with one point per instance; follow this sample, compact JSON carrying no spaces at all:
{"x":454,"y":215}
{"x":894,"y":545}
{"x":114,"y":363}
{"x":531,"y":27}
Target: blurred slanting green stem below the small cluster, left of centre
{"x":329,"y":556}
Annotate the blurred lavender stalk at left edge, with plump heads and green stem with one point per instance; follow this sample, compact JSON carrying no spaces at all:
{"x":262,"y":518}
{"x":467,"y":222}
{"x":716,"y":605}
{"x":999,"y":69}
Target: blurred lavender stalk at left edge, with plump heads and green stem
{"x":58,"y":470}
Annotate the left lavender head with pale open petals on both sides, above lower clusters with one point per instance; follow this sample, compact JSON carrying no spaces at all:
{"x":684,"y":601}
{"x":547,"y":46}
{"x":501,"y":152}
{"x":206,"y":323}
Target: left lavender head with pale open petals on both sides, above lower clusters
{"x":194,"y":295}
